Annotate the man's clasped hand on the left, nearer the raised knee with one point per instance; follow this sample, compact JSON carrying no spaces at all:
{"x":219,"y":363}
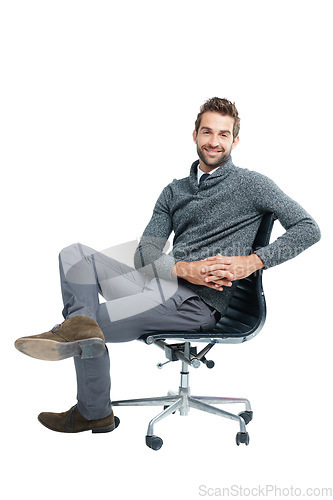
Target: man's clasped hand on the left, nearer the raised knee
{"x":198,"y":272}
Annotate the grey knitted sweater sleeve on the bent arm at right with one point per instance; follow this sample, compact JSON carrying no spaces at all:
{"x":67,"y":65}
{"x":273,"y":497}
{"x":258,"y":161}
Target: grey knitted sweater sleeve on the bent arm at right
{"x":301,"y":229}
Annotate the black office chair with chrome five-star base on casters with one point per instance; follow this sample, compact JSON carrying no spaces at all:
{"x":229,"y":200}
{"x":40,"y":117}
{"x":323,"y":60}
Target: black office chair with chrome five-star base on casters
{"x":243,"y":320}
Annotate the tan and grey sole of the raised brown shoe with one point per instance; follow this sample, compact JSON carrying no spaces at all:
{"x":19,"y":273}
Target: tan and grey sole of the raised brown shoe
{"x":51,"y":350}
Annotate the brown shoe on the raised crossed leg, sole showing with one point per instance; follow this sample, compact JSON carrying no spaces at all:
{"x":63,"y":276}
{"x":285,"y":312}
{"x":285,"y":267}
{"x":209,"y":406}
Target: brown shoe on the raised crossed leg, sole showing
{"x":76,"y":336}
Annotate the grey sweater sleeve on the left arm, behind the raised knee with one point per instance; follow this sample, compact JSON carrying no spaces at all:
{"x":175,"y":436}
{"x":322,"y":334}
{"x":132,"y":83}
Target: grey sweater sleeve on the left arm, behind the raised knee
{"x":149,"y":257}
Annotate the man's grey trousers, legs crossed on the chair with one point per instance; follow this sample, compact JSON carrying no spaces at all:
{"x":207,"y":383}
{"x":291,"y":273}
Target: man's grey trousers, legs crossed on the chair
{"x":134,"y":305}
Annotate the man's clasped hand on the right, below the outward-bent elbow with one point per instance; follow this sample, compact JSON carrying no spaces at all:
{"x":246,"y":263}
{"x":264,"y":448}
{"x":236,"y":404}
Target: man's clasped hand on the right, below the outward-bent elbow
{"x":240,"y":267}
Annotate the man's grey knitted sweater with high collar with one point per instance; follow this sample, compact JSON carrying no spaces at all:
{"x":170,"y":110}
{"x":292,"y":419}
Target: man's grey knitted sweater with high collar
{"x":222,"y":216}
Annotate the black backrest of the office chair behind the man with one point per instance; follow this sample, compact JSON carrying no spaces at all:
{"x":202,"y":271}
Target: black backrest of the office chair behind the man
{"x":246,"y":312}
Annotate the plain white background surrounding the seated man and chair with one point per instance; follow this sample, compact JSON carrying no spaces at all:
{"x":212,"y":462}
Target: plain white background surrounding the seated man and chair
{"x":98,"y":103}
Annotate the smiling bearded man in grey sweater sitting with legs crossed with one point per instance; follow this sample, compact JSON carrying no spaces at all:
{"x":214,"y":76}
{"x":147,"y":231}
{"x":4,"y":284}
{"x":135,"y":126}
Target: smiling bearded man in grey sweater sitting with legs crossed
{"x":215,"y":214}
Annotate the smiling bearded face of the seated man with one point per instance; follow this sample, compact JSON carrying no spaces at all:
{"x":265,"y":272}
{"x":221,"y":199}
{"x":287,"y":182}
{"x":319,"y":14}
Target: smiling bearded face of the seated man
{"x":214,"y":139}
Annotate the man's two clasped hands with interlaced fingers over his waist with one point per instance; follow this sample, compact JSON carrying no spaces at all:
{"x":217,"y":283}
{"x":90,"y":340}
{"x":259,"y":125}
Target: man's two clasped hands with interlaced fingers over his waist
{"x":218,"y":271}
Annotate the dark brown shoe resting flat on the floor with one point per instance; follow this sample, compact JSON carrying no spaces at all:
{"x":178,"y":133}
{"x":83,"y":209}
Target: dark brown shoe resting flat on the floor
{"x":72,"y":421}
